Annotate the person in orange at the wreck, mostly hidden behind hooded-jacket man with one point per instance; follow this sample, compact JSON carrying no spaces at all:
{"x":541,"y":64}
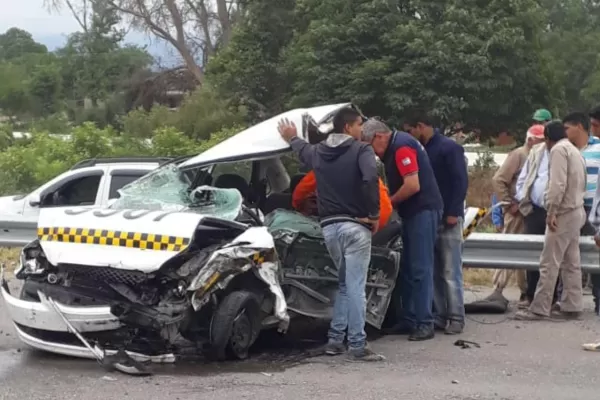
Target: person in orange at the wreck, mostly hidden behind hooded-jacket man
{"x":305,"y":195}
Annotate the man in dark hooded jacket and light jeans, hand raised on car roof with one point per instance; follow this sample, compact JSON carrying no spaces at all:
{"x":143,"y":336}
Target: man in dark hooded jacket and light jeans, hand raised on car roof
{"x":348,"y":204}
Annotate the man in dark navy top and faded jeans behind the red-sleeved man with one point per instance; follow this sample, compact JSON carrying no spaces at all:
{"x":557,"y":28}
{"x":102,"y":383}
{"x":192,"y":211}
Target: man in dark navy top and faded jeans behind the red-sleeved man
{"x":450,"y":169}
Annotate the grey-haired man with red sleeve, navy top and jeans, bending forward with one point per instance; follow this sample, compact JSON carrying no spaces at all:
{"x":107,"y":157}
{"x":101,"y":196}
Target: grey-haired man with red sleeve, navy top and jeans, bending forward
{"x":417,"y":199}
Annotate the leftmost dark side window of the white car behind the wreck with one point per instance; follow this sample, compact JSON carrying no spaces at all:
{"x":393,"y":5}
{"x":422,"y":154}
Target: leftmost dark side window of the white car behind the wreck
{"x":77,"y":192}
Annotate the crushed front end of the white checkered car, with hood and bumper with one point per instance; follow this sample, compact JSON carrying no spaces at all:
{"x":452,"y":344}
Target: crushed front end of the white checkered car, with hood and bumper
{"x":154,"y":284}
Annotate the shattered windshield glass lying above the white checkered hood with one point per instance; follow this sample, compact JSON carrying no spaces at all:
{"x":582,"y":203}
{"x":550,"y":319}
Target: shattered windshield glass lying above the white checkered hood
{"x":168,"y":189}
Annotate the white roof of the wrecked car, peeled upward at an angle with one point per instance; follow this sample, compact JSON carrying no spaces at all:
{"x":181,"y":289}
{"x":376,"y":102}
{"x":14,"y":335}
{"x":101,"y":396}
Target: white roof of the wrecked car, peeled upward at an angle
{"x":263,"y":140}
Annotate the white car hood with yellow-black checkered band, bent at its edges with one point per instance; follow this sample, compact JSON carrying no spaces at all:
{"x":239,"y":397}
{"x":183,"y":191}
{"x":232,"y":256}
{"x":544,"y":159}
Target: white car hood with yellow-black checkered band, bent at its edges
{"x":139,"y":240}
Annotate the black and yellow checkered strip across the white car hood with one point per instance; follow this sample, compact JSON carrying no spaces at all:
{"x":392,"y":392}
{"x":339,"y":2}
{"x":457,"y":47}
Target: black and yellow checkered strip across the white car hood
{"x":136,"y":240}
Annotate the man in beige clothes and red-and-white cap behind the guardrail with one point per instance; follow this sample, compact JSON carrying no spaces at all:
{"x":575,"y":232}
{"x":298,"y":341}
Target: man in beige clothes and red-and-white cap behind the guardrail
{"x":505,"y":181}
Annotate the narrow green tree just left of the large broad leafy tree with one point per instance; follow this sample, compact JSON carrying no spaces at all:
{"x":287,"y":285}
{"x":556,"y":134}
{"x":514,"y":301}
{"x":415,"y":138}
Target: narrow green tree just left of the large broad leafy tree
{"x":257,"y":41}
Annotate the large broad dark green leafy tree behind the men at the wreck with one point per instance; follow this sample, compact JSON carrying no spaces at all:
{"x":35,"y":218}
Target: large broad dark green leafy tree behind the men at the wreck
{"x":470,"y":60}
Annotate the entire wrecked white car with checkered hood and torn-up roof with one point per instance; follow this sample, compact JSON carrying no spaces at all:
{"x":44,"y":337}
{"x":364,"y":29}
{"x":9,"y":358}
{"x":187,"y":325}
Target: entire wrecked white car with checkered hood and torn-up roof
{"x":196,"y":257}
